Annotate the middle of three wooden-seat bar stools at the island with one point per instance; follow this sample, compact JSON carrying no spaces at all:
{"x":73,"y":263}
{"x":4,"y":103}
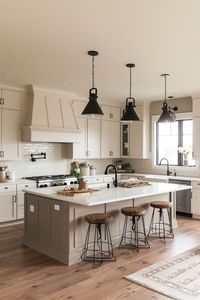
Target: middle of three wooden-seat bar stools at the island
{"x":134,"y":238}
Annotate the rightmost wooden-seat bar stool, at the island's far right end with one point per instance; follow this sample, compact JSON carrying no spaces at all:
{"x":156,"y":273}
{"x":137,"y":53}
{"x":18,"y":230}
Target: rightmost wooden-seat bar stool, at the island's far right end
{"x":161,"y":229}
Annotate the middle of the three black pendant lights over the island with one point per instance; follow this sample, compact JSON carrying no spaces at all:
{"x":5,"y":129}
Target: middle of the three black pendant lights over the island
{"x":129,"y":114}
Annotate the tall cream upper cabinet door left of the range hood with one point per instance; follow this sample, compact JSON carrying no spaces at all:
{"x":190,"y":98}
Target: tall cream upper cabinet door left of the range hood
{"x":10,"y":133}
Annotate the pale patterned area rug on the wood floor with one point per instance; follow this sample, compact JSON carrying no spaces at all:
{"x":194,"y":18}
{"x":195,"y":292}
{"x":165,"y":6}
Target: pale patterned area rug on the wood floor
{"x":177,"y":277}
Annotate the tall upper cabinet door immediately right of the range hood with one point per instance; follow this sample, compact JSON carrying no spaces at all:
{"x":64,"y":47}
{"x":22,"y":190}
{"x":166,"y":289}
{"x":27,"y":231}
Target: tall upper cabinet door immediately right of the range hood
{"x":79,"y":149}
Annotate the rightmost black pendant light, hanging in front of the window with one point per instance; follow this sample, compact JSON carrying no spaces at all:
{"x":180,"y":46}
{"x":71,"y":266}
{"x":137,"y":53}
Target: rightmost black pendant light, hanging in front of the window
{"x":167,"y":114}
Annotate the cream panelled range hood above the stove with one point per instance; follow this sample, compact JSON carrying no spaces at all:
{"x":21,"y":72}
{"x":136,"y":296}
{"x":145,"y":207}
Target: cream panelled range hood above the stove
{"x":50,"y":118}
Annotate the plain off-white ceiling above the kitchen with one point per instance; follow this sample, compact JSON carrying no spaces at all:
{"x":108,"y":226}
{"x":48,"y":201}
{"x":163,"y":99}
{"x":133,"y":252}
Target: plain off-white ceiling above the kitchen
{"x":45,"y":42}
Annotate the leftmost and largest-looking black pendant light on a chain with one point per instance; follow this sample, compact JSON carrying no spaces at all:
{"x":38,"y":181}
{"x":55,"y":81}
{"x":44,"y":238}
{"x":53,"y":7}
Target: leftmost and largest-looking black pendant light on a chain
{"x":92,"y":107}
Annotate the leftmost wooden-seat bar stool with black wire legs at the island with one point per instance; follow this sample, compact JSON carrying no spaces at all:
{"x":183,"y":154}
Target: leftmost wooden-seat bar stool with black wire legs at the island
{"x":100,"y":248}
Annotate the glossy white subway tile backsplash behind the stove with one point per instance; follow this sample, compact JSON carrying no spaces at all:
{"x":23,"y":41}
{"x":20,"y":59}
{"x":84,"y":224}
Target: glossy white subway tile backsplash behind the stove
{"x":55,"y":162}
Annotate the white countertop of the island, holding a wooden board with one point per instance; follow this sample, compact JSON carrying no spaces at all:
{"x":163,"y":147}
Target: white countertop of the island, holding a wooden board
{"x":109,"y":195}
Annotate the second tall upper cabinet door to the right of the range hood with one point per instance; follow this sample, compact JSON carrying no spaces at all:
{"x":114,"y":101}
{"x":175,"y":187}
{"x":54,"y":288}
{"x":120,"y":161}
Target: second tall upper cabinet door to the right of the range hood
{"x":94,"y":130}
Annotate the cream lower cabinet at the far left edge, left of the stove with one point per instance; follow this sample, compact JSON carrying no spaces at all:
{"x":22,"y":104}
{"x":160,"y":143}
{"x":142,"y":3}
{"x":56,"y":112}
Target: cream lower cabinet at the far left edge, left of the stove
{"x":7,"y":203}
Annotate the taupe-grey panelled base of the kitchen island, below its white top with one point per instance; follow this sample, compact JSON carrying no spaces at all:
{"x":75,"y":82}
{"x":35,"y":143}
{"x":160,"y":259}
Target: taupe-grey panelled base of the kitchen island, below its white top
{"x":57,"y":228}
